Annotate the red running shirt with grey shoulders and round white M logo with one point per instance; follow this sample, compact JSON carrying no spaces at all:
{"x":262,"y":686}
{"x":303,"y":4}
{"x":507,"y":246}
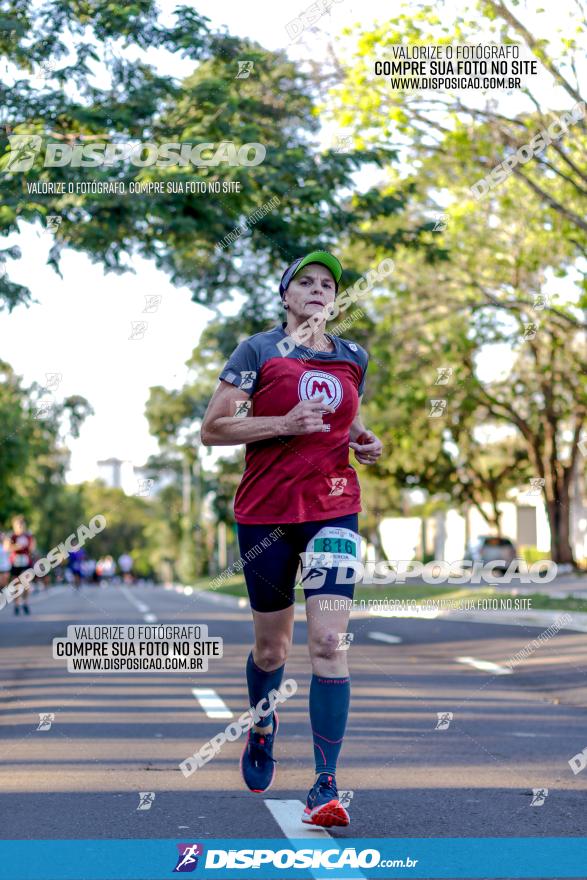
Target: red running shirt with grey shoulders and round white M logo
{"x":305,"y":477}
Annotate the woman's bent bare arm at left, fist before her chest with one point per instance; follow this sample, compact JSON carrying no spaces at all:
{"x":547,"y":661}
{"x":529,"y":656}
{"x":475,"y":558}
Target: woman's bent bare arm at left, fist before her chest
{"x":221,"y":427}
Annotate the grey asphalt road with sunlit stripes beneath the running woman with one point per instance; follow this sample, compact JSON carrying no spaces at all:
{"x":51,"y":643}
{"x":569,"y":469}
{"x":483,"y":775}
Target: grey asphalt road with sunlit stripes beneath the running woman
{"x":115,"y":735}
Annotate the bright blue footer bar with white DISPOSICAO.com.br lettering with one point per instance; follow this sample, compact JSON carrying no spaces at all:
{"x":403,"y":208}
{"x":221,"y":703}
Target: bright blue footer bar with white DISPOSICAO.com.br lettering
{"x":273,"y":859}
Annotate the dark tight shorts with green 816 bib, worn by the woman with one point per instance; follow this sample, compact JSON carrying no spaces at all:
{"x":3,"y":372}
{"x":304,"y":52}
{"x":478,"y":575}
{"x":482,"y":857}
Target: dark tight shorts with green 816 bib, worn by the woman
{"x":272,"y":555}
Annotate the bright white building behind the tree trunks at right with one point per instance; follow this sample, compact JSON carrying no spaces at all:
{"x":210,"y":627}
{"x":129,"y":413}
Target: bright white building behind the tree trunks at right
{"x":446,"y":534}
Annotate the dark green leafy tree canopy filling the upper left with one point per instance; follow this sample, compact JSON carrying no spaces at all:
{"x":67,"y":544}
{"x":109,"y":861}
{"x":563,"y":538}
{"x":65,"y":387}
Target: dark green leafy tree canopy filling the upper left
{"x":184,"y":233}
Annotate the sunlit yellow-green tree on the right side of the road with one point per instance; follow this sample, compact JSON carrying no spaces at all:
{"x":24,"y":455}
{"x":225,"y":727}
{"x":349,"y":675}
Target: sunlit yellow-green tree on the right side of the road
{"x":485,"y":287}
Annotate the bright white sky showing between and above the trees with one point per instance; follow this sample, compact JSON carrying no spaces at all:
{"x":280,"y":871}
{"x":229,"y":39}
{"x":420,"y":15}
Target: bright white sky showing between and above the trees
{"x":81,"y":325}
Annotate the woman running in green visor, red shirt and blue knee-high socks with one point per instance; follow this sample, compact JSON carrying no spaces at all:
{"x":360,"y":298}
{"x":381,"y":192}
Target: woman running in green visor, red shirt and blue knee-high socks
{"x":296,"y":407}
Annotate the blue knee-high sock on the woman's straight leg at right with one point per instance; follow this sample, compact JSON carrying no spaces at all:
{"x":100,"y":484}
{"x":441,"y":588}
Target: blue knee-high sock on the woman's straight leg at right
{"x":329,"y":709}
